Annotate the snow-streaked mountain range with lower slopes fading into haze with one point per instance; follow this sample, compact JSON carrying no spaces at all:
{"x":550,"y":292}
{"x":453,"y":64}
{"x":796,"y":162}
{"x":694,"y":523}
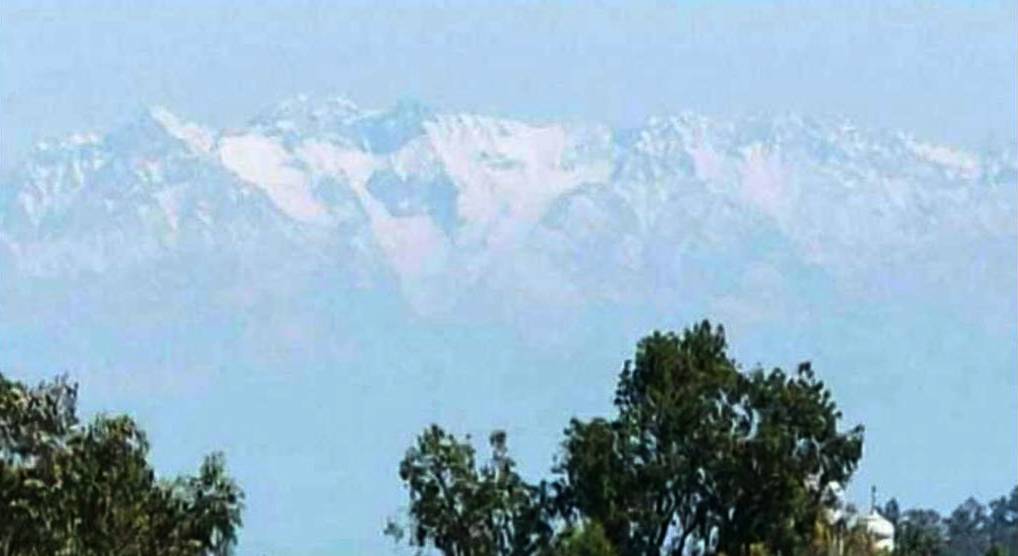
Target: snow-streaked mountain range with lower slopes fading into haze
{"x":455,"y":202}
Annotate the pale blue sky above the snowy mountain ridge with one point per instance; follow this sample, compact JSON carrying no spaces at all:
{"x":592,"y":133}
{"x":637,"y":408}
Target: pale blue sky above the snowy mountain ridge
{"x":943,"y":70}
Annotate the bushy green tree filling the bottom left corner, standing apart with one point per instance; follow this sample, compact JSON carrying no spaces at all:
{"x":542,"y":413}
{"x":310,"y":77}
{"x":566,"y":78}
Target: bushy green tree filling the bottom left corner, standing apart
{"x":87,"y":489}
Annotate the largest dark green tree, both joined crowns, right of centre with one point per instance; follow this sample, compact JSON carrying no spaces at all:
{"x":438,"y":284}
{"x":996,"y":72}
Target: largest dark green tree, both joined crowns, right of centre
{"x":703,"y":456}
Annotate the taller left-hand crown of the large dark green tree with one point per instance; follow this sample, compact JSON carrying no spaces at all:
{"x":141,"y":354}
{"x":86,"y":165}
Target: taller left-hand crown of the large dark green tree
{"x":640,"y":475}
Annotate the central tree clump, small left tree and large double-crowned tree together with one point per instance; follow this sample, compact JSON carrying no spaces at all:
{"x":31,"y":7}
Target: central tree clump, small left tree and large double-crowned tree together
{"x":700,"y":458}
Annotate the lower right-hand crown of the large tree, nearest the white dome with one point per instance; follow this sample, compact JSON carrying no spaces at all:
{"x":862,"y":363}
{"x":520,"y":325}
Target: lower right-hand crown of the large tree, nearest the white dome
{"x":773,"y":486}
